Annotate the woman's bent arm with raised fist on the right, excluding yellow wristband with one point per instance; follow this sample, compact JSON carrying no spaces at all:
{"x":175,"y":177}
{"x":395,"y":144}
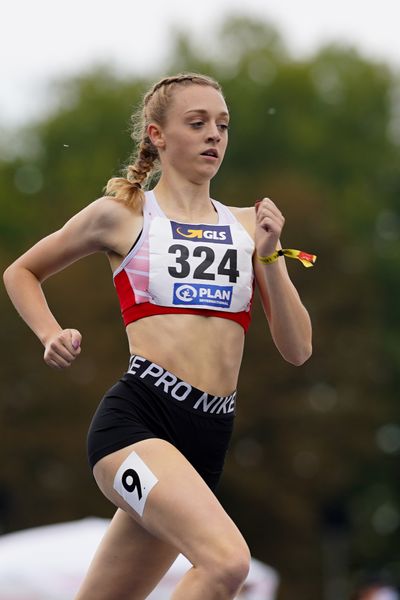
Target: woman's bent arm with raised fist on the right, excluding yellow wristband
{"x":287,"y":317}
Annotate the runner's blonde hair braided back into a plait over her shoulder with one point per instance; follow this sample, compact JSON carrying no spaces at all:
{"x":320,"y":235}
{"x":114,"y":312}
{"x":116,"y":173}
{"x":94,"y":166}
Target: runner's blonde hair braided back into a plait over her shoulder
{"x":145,"y":161}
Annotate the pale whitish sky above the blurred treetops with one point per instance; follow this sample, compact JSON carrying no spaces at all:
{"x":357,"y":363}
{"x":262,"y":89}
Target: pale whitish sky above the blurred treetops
{"x":46,"y":39}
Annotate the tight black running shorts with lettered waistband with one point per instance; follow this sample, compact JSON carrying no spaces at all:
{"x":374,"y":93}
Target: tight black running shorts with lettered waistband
{"x":150,"y":402}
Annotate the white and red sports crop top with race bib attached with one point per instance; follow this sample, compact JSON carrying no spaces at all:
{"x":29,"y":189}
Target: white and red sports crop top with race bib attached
{"x":187,"y":267}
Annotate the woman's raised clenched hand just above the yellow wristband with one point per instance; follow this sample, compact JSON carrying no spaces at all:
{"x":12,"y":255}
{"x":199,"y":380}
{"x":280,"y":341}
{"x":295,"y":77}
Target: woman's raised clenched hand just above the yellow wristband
{"x":269,"y":225}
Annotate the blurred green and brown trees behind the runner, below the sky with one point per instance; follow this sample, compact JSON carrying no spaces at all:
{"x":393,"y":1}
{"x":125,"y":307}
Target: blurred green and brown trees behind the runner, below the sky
{"x":316,"y":448}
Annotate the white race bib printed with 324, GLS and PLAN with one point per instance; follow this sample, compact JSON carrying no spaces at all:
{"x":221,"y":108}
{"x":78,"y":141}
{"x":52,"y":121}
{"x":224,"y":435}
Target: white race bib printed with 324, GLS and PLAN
{"x":200,"y":266}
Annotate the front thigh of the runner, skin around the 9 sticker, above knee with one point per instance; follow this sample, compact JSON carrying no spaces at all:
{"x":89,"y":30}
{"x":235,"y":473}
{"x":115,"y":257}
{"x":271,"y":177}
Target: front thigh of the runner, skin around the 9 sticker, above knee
{"x":180,"y":509}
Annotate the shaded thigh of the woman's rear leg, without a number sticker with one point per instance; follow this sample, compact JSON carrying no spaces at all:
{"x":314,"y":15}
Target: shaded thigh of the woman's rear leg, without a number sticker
{"x":128,"y":563}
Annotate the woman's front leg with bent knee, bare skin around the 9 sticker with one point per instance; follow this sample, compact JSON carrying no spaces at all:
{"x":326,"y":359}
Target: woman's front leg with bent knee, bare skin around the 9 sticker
{"x":182,"y":512}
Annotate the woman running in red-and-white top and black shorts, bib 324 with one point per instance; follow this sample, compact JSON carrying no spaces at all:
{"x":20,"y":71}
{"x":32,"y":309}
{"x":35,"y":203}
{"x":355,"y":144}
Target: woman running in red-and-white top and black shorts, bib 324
{"x":184,"y":267}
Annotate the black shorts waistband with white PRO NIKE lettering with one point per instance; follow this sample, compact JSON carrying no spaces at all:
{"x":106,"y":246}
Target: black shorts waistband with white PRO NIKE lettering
{"x":181,"y":392}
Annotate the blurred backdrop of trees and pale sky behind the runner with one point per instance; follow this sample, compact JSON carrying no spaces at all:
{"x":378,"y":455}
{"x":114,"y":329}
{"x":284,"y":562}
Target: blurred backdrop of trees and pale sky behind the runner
{"x":312,"y":477}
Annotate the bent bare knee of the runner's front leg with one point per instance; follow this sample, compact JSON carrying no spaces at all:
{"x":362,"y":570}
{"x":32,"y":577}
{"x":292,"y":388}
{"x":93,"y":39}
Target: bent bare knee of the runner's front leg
{"x":230,"y":567}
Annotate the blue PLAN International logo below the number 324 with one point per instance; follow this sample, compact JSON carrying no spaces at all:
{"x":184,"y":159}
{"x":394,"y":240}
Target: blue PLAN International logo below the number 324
{"x":201,"y":295}
